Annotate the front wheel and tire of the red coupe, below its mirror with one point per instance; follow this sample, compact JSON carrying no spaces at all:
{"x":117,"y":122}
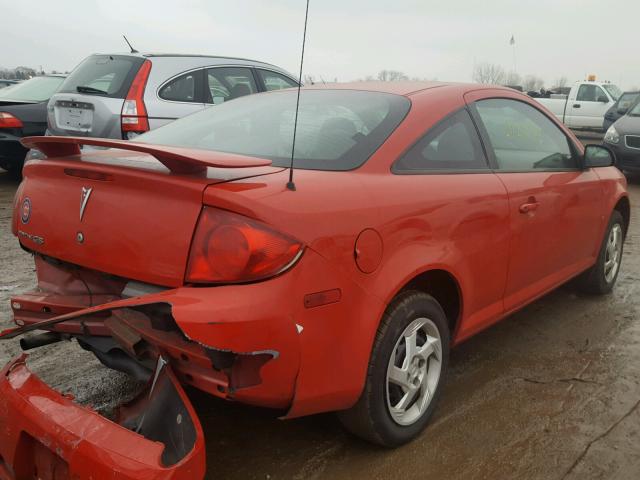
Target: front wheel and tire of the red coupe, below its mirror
{"x":601,"y":278}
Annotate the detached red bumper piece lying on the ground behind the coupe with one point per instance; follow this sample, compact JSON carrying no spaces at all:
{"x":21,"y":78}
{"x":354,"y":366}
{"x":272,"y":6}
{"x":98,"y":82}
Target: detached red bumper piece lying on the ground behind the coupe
{"x":45,"y":435}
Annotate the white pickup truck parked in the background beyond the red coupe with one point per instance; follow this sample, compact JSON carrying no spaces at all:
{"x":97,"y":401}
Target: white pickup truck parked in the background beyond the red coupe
{"x":585,"y":106}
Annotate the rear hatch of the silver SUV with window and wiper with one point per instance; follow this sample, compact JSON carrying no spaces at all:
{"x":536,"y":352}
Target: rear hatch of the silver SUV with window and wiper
{"x":90,"y":102}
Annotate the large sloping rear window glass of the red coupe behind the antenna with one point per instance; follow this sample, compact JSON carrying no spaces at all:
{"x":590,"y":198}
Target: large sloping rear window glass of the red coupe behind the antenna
{"x":337,"y":129}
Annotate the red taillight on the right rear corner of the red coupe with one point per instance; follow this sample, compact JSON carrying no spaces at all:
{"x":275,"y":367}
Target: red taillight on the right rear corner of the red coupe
{"x":230,"y":248}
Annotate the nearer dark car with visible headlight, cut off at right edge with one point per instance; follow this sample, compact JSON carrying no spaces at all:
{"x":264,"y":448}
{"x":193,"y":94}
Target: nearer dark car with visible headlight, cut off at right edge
{"x":624,"y":138}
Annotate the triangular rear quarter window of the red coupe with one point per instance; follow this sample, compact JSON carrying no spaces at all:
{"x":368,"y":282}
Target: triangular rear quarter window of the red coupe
{"x":453,"y":144}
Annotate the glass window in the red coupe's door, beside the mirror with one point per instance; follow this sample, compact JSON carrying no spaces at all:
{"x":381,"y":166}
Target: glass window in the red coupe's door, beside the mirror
{"x":523,"y":138}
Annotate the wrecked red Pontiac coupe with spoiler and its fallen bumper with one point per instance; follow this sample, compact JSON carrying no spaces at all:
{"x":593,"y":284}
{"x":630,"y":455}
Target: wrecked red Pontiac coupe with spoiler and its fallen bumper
{"x":419,"y":215}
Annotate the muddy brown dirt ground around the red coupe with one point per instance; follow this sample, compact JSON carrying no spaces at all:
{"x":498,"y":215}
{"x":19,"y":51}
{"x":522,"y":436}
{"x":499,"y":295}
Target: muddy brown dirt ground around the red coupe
{"x":550,"y":393}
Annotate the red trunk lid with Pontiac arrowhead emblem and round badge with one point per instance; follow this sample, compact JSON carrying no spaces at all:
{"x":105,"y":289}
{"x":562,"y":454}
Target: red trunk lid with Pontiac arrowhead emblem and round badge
{"x":119,"y":212}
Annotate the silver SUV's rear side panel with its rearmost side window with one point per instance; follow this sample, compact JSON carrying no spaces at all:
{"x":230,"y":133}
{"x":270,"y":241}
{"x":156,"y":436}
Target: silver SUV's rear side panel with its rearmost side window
{"x":178,"y":97}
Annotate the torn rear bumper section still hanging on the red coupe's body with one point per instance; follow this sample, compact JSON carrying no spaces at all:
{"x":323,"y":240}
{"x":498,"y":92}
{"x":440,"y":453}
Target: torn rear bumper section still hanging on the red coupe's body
{"x":215,"y":339}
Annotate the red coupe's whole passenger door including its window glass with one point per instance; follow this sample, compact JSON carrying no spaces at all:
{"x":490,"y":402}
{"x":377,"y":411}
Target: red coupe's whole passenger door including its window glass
{"x":553,"y":202}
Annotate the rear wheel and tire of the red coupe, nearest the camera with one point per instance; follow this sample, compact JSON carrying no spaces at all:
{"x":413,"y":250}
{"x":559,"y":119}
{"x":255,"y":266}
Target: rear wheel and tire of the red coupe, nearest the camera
{"x":404,"y":380}
